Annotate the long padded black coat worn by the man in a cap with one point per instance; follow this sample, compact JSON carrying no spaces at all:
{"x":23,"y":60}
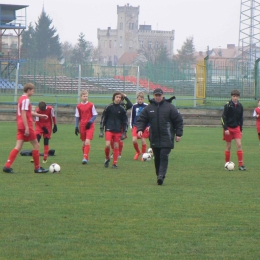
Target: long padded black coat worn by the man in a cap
{"x":165,"y":122}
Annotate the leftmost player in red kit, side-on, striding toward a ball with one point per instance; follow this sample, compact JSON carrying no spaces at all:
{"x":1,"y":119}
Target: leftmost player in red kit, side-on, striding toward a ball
{"x":25,"y":131}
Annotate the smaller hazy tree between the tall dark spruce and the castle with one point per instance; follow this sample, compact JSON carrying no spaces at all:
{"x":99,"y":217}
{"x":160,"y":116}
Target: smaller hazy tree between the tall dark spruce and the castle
{"x":83,"y":51}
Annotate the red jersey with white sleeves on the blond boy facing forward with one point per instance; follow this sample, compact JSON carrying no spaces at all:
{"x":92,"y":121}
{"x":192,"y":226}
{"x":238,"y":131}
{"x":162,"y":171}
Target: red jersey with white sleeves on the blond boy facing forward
{"x":85,"y":111}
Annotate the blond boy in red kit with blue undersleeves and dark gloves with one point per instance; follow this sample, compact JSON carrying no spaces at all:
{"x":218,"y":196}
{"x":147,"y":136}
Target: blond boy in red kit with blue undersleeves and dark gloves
{"x":85,"y":116}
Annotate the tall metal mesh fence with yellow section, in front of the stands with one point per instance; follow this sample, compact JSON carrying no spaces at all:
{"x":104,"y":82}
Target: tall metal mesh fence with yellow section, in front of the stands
{"x":209,"y":79}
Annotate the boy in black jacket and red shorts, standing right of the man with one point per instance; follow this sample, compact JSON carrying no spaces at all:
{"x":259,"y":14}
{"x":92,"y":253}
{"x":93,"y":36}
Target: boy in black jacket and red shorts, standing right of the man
{"x":232,"y":122}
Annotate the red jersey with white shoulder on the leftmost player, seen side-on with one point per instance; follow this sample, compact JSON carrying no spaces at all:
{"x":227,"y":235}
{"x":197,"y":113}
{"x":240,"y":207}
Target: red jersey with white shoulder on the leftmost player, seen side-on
{"x":24,"y":104}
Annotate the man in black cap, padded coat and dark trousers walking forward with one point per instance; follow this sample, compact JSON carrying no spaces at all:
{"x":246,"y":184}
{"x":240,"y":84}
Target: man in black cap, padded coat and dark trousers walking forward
{"x":165,"y":122}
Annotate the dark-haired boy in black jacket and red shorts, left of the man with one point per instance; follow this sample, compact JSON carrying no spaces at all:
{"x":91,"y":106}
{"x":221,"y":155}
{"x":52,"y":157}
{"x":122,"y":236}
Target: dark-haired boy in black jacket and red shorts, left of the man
{"x":114,"y":120}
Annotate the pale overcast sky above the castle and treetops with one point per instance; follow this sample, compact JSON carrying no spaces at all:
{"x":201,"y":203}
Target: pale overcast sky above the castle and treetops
{"x":212,"y":23}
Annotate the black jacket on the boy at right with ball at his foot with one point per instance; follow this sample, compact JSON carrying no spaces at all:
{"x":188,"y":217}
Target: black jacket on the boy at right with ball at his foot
{"x":232,"y":115}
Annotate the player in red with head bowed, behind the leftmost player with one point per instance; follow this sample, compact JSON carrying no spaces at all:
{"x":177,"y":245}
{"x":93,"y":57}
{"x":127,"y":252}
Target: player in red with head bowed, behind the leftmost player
{"x":44,"y":126}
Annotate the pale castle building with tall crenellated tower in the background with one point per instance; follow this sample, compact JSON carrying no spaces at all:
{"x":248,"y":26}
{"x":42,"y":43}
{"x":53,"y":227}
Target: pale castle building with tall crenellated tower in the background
{"x":130,"y":37}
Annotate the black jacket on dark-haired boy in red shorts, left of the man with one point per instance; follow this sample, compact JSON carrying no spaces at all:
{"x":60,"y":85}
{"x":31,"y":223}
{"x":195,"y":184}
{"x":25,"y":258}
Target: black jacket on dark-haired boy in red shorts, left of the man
{"x":114,"y":118}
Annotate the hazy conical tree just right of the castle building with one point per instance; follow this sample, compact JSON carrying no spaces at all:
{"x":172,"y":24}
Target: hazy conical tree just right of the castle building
{"x":186,"y":53}
